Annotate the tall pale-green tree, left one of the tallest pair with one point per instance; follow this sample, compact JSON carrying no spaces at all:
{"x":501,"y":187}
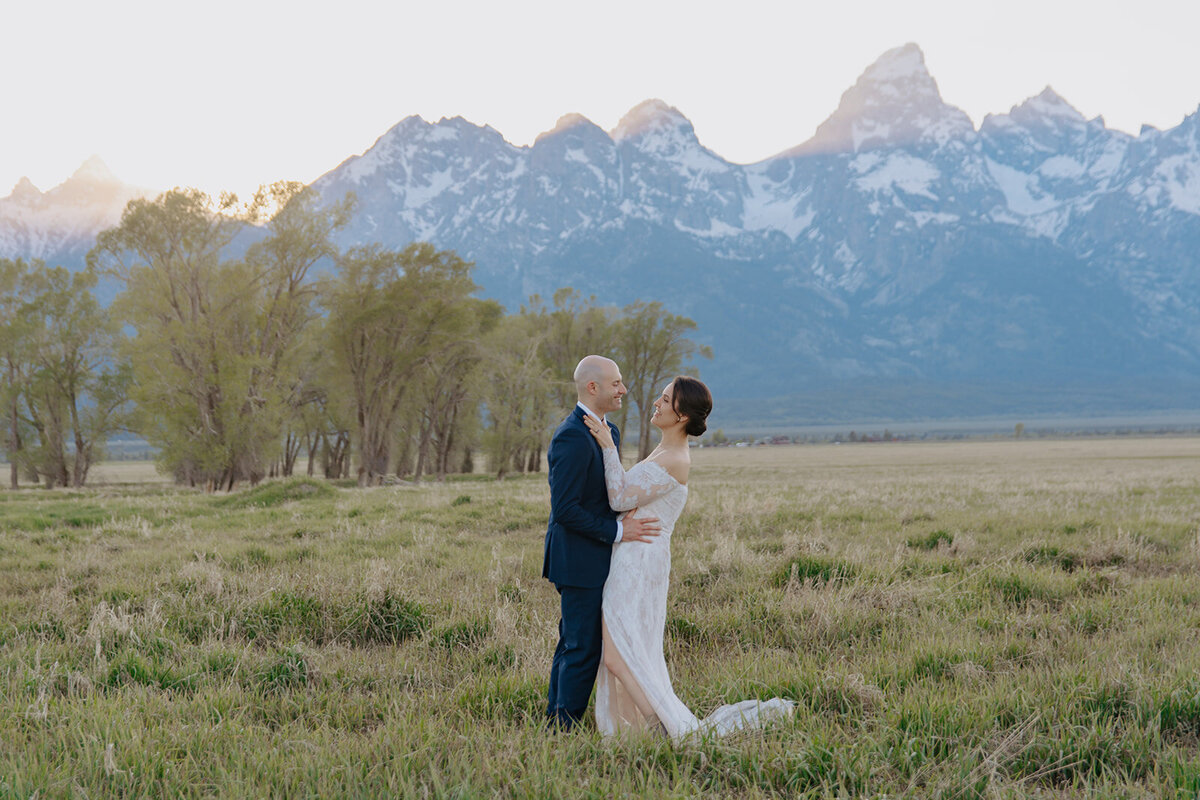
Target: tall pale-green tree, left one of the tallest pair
{"x":182,"y":302}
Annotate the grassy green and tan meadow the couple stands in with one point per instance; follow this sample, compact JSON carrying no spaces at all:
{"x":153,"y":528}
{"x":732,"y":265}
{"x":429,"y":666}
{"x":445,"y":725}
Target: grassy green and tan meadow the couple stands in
{"x":955,"y":621}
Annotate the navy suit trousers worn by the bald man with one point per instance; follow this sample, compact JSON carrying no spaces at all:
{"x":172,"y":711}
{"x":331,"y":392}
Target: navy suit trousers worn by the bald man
{"x":573,"y":672}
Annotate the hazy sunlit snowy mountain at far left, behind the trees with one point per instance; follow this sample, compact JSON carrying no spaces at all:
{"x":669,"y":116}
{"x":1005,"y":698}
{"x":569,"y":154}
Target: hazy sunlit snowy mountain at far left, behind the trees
{"x":61,"y":225}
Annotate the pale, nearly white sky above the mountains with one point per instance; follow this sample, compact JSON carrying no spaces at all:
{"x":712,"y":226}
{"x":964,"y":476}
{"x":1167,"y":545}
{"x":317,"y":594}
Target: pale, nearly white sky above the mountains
{"x":235,"y":94}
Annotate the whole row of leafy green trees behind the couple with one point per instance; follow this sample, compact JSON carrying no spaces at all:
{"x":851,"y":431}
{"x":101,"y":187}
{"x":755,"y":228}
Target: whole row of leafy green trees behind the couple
{"x":375,"y":360}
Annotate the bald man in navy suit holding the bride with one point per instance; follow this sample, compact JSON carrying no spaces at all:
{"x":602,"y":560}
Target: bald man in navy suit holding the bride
{"x":580,"y":538}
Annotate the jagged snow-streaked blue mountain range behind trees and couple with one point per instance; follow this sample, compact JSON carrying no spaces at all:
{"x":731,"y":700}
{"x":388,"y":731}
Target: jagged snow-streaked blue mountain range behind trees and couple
{"x":898,"y":246}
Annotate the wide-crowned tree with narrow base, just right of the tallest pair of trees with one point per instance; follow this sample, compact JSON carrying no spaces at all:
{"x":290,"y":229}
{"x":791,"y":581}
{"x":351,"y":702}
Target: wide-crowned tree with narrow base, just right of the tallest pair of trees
{"x":391,"y":314}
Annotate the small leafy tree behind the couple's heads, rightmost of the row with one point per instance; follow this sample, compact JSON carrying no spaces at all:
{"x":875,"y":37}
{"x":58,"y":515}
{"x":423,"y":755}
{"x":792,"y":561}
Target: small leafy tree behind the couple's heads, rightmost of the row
{"x":653,"y":347}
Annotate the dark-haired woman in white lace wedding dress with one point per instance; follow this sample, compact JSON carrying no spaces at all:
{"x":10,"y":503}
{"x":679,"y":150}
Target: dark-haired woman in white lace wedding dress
{"x":633,"y":687}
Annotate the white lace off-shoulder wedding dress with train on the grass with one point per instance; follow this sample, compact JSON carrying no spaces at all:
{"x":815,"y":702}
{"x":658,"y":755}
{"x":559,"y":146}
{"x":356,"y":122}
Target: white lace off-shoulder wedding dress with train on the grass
{"x":635,"y":610}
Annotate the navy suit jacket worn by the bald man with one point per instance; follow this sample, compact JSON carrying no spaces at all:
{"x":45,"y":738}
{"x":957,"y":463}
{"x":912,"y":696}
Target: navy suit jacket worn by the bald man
{"x":583,"y":527}
